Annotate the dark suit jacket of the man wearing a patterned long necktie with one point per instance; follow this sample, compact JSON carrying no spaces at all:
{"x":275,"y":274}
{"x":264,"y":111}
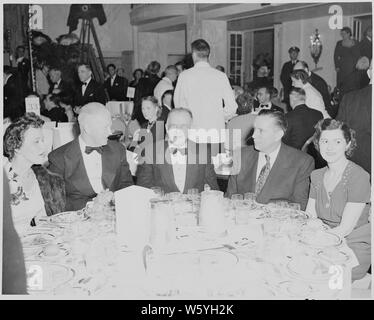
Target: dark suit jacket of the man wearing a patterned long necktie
{"x":288,"y":178}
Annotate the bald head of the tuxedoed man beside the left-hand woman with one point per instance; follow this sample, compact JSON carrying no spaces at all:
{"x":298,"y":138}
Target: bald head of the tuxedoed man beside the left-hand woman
{"x":95,"y":123}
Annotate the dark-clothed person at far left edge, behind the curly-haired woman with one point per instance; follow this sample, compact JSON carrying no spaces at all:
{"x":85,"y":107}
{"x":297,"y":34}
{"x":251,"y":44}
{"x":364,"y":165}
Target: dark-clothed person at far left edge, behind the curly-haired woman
{"x":13,"y":96}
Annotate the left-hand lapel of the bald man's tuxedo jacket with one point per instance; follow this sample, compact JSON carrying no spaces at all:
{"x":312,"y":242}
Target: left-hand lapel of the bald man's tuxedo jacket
{"x":75,"y":167}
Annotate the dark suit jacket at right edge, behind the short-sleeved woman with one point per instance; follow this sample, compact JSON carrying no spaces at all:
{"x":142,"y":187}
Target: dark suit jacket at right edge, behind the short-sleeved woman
{"x":355,"y":110}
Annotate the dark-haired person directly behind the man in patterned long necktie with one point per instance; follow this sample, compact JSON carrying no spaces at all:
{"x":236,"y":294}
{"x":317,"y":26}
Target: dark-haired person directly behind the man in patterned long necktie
{"x":243,"y":122}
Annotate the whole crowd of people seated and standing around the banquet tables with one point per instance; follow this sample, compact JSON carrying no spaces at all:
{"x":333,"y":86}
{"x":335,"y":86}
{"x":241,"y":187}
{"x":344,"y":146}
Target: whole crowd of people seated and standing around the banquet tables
{"x":292,"y":148}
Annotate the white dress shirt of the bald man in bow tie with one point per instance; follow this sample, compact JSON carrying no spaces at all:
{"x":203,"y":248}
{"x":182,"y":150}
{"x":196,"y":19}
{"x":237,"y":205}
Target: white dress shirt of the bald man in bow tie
{"x":93,"y":164}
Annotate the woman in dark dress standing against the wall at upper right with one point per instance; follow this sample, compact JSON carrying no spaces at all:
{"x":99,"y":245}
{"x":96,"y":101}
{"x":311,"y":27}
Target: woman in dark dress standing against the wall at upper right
{"x":346,"y":55}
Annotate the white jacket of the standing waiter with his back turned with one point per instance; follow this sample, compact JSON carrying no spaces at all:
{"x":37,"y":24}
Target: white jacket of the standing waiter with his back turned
{"x":202,"y":89}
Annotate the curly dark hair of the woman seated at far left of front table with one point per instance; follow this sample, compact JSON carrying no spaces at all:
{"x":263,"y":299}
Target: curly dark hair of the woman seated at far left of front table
{"x":15,"y":133}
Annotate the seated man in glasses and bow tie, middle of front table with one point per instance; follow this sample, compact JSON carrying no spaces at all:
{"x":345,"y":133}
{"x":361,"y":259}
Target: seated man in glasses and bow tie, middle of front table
{"x":174,"y":165}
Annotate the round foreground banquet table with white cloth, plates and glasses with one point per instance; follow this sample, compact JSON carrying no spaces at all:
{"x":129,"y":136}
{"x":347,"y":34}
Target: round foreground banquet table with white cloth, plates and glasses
{"x":81,"y":256}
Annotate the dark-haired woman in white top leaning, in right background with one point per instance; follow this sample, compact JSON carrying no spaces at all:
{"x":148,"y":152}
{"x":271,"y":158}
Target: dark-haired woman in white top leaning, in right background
{"x":313,"y":98}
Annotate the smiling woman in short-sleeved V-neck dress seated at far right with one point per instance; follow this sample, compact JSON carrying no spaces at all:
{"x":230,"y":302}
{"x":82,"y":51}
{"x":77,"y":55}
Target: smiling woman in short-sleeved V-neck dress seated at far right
{"x":340,"y":192}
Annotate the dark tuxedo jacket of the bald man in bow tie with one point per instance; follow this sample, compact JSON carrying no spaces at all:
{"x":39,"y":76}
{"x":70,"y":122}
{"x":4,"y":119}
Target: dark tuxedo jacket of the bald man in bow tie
{"x":68,"y":162}
